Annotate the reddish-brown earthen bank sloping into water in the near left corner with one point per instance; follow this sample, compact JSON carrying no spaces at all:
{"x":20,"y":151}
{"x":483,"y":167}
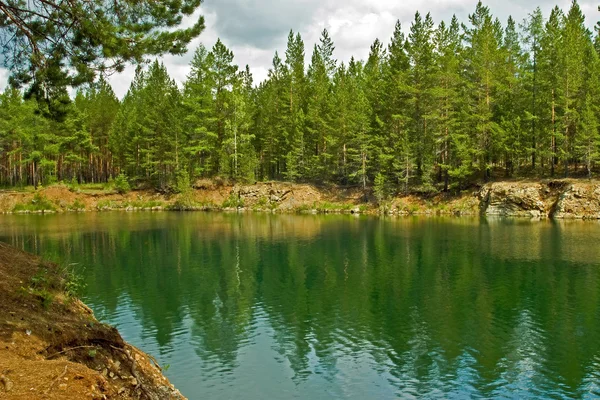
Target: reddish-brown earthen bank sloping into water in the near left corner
{"x":52,"y":347}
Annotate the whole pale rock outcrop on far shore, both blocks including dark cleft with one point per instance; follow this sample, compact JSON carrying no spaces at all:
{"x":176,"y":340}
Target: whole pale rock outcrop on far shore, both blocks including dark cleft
{"x":554,"y":199}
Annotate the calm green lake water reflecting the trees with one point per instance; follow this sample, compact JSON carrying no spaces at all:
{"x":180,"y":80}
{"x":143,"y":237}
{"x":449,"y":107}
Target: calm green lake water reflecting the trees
{"x":320,"y":307}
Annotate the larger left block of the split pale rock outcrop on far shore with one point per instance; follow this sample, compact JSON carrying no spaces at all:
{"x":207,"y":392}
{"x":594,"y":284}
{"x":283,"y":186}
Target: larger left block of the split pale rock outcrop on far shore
{"x":513,"y":200}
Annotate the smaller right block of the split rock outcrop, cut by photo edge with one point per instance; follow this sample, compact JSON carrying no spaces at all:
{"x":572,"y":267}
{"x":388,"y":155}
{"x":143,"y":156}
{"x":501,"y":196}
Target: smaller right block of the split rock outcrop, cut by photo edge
{"x":579,"y":200}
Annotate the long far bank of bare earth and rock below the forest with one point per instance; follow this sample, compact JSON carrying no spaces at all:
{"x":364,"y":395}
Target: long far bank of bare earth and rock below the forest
{"x":556,"y":198}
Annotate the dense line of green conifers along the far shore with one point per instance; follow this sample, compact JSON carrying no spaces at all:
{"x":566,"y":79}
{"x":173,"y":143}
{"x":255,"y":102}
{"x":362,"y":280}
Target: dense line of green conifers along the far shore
{"x":438,"y":108}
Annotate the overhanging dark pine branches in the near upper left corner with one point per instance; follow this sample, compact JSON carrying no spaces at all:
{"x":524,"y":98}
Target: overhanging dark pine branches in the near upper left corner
{"x":54,"y":44}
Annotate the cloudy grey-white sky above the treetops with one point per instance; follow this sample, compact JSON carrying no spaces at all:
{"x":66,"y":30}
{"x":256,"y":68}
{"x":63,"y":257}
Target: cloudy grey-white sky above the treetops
{"x":255,"y":29}
